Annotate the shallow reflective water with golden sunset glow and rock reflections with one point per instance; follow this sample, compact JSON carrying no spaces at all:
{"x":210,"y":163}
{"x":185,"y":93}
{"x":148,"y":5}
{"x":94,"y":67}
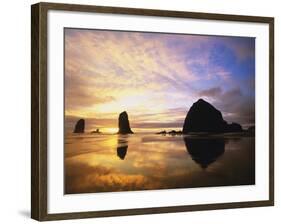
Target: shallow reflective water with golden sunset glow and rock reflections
{"x":107,"y":163}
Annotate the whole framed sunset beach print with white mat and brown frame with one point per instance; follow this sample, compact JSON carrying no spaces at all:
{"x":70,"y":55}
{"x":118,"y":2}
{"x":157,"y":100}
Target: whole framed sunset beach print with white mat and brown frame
{"x":140,"y":111}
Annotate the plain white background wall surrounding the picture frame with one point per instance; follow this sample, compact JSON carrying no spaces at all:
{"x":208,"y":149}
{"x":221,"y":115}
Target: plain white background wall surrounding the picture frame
{"x":15,"y":112}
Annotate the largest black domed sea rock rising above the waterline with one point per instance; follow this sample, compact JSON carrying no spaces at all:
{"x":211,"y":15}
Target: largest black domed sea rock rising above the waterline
{"x":204,"y":117}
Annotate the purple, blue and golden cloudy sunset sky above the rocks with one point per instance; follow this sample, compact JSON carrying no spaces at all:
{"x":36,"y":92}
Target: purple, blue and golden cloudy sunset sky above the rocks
{"x":156,"y":78}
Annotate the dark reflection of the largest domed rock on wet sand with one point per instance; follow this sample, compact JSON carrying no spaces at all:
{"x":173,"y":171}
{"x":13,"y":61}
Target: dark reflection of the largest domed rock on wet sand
{"x":204,"y":151}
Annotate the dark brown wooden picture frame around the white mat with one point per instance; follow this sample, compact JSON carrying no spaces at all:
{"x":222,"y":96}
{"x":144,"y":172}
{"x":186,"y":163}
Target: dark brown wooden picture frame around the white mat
{"x":39,"y":109}
